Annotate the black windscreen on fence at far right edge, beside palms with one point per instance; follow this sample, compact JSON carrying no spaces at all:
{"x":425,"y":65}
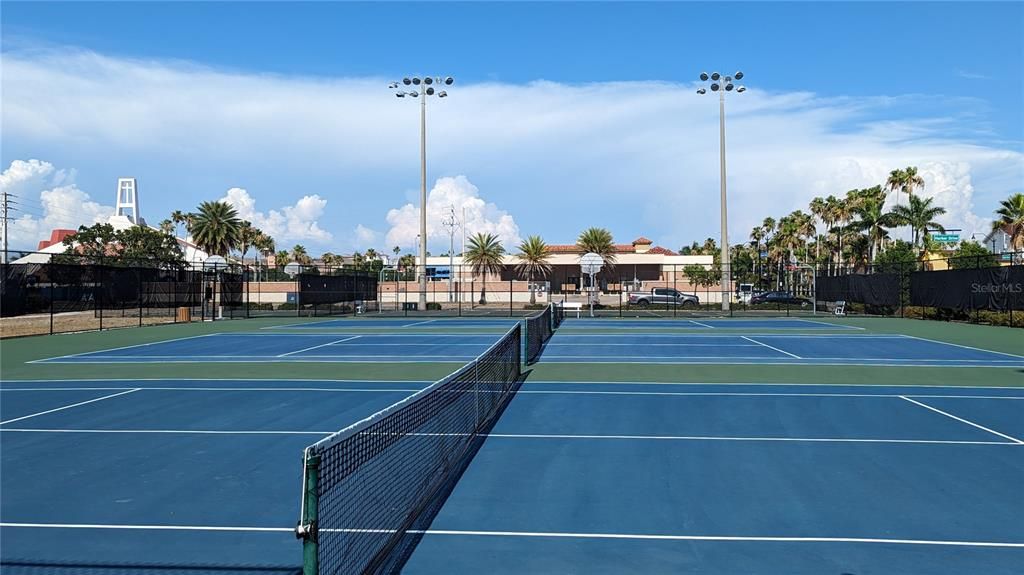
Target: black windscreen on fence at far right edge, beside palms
{"x":996,"y":289}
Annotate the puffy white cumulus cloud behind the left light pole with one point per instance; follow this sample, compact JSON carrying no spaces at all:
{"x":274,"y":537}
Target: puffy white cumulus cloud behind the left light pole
{"x":460,"y":194}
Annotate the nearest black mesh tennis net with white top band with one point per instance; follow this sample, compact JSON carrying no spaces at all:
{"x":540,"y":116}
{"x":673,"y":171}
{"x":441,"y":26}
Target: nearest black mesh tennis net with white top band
{"x":372,"y":490}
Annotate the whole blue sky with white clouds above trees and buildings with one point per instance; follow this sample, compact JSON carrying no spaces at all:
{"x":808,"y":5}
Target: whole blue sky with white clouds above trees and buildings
{"x":564,"y":116}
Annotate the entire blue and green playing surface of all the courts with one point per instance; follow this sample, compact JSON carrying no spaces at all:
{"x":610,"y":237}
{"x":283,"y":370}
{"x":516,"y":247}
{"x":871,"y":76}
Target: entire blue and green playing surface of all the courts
{"x":642,"y":469}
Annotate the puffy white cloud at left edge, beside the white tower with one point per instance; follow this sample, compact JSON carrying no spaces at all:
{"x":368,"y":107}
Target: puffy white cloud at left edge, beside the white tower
{"x":45,"y":199}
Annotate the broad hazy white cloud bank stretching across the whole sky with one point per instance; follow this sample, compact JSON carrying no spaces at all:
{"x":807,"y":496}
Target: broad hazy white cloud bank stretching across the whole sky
{"x":639,"y":158}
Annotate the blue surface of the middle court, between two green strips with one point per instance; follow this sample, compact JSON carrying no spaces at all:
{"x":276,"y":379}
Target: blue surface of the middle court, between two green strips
{"x":825,"y":349}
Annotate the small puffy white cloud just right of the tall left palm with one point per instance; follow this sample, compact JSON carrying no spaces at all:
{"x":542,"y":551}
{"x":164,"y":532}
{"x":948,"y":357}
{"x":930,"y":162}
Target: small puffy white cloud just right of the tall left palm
{"x":291,"y":224}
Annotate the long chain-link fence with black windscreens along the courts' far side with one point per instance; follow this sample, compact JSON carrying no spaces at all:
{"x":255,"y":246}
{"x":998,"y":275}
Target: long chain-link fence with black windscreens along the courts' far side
{"x":51,"y":298}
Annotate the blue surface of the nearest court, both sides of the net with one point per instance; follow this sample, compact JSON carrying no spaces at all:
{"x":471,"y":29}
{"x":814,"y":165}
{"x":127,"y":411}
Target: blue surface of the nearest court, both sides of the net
{"x":576,"y":477}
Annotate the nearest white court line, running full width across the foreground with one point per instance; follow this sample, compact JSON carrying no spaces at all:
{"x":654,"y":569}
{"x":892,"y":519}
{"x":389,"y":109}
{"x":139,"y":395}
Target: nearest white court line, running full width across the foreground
{"x":547,"y":535}
